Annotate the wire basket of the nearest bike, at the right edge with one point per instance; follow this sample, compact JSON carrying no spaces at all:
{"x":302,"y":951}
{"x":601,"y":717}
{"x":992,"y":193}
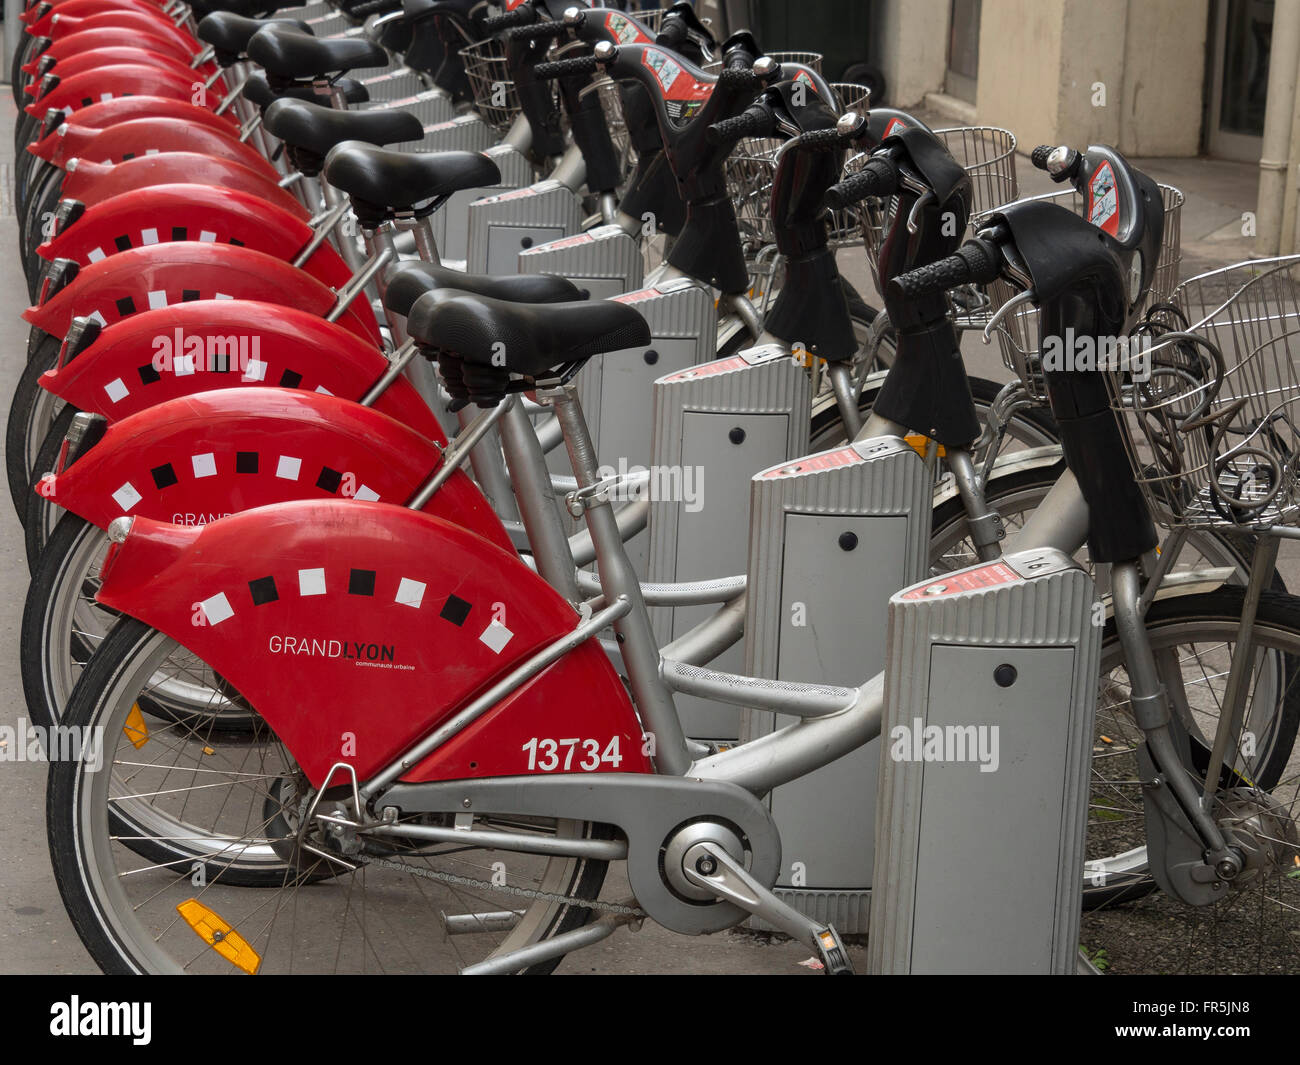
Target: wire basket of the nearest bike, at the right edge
{"x":1210,"y":404}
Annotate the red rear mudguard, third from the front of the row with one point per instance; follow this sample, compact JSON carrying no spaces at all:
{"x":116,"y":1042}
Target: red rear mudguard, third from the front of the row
{"x":118,"y":374}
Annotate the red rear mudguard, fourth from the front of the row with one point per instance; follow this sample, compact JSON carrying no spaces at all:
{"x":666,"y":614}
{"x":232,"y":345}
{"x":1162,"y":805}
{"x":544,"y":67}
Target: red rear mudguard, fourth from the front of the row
{"x":185,"y":271}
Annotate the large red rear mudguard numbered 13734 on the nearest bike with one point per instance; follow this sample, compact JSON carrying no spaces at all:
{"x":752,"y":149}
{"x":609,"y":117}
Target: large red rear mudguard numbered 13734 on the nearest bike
{"x":356,"y":629}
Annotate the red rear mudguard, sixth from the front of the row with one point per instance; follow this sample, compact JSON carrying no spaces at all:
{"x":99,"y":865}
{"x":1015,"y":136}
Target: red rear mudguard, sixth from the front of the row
{"x":96,"y":183}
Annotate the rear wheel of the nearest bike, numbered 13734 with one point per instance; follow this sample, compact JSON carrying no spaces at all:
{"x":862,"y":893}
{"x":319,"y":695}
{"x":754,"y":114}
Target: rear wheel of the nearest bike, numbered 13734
{"x":145,"y":838}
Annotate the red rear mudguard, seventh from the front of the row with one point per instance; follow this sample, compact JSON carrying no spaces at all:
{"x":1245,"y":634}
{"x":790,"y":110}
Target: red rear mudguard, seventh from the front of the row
{"x":142,"y":136}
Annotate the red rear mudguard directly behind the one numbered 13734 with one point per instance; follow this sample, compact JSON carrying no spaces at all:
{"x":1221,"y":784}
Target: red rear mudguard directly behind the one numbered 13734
{"x":205,"y":457}
